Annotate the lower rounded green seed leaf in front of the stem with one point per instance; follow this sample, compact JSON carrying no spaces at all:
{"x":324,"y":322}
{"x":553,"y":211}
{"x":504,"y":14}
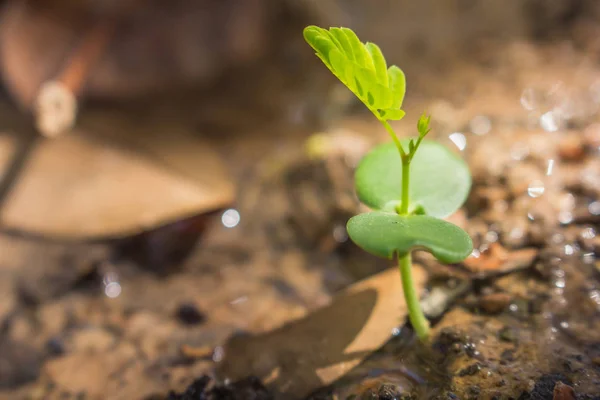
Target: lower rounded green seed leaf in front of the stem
{"x":384,"y":234}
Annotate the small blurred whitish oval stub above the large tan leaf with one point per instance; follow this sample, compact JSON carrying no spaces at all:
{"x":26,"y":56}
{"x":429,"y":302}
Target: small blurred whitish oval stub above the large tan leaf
{"x":55,"y":109}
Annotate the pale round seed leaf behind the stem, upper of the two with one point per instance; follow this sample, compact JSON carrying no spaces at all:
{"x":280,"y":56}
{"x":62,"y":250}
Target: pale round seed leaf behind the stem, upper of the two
{"x":439,"y":180}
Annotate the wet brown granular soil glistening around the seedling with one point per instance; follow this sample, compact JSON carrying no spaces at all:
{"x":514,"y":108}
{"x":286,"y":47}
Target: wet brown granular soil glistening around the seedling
{"x":80,"y":322}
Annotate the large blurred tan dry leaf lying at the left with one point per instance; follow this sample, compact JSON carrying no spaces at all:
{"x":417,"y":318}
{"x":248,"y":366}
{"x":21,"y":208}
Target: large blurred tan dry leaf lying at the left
{"x":115,"y":177}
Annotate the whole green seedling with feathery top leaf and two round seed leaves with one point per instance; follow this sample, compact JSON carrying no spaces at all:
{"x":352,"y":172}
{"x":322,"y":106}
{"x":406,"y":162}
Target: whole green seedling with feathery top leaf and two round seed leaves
{"x":409,"y":194}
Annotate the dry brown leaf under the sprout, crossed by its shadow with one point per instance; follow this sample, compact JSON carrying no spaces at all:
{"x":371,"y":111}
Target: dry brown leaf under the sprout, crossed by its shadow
{"x":304,"y":355}
